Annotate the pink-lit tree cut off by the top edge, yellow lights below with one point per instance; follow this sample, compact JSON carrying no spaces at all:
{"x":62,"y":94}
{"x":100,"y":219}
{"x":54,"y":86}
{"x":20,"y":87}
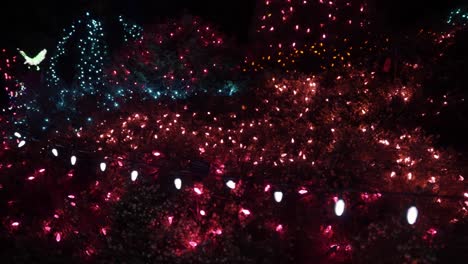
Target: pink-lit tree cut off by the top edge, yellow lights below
{"x":309,"y":34}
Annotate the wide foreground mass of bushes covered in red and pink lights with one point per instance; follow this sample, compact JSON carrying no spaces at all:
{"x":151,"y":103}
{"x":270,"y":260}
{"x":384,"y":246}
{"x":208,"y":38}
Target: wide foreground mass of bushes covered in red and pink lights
{"x":253,"y":181}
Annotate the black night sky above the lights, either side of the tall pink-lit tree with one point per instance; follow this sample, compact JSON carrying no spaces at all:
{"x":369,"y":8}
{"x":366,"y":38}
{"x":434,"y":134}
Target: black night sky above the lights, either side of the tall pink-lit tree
{"x":35,"y":24}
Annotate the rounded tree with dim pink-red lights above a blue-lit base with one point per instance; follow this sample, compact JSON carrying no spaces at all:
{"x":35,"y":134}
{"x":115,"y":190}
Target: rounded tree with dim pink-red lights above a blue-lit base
{"x":175,"y":60}
